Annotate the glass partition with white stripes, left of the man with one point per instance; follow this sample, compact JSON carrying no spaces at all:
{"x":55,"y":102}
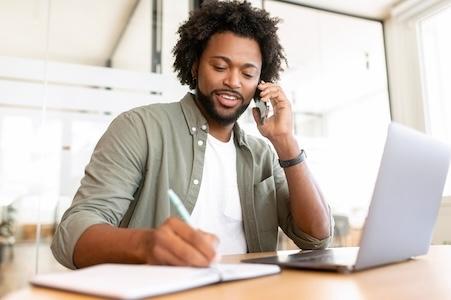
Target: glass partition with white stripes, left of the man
{"x":67,"y":68}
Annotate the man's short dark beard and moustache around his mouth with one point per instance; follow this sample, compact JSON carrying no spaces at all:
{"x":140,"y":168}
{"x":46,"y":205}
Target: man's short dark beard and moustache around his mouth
{"x":208,"y":105}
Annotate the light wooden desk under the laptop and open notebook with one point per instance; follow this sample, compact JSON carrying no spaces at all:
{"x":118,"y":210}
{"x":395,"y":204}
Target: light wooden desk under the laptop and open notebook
{"x":426,"y":277}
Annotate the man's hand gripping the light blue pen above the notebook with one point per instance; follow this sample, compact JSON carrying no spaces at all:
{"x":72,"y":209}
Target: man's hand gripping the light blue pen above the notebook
{"x":178,"y":244}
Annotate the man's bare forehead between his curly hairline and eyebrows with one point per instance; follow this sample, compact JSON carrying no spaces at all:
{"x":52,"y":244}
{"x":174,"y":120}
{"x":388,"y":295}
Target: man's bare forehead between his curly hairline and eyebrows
{"x":236,"y":48}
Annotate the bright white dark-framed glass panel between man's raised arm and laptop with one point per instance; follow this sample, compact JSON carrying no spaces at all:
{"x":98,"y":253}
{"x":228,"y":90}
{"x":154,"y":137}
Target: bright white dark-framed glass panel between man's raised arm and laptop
{"x":336,"y":80}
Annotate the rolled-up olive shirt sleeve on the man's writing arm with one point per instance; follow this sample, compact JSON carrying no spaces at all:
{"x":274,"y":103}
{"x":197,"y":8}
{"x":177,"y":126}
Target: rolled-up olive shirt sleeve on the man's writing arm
{"x":111,"y":179}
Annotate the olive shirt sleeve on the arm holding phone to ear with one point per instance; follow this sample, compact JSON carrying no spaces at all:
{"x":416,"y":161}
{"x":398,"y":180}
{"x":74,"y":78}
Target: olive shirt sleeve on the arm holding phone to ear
{"x":300,"y":238}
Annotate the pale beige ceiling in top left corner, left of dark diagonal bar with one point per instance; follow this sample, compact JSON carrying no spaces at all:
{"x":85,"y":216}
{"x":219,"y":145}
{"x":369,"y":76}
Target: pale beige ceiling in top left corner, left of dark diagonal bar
{"x":82,"y":31}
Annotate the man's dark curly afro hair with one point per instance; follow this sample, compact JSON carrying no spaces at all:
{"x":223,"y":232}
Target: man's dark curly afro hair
{"x":237,"y":17}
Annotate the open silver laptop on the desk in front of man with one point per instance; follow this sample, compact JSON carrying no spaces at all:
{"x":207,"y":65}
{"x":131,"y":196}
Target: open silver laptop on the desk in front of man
{"x":402,"y":213}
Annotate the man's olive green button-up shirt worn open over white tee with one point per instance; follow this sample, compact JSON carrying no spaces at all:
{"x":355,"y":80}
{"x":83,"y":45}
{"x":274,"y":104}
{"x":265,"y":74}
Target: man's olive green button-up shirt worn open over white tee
{"x":150,"y":149}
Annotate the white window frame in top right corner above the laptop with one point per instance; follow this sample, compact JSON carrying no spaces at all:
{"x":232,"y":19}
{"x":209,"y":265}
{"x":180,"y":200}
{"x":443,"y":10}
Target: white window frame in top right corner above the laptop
{"x":404,"y":62}
